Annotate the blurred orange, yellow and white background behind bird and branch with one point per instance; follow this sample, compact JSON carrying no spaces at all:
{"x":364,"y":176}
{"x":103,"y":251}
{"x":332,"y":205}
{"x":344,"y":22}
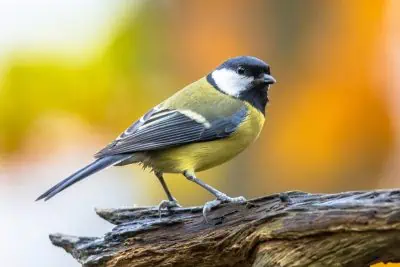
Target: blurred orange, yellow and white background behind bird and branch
{"x":74,"y":74}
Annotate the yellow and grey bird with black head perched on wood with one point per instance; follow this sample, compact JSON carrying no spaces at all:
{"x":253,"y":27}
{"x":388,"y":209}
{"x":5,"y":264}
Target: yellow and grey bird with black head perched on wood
{"x":199,"y":127}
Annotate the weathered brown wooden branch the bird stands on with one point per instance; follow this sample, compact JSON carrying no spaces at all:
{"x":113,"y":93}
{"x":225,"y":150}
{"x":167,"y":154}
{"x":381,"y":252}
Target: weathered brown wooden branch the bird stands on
{"x":288,"y":229}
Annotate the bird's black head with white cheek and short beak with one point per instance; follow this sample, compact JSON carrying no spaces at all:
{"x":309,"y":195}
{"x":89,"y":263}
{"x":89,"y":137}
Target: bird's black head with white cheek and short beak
{"x":247,"y":78}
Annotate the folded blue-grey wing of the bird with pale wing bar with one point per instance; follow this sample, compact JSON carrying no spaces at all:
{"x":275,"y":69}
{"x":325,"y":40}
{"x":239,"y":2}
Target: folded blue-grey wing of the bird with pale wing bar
{"x":160,"y":129}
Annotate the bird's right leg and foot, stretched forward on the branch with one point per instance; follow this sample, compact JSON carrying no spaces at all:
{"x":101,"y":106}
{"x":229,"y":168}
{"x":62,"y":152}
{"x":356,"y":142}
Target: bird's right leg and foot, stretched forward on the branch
{"x":221,"y":197}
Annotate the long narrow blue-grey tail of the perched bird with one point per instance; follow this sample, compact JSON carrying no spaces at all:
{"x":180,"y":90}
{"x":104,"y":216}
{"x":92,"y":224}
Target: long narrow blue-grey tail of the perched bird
{"x":90,"y":169}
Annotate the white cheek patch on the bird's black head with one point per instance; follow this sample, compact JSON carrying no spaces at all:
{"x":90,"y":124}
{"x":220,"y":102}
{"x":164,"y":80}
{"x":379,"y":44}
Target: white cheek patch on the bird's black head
{"x":230,"y":82}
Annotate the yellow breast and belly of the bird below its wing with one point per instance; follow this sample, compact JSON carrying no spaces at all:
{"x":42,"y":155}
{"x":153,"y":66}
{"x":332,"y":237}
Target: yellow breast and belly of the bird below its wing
{"x":205,"y":155}
